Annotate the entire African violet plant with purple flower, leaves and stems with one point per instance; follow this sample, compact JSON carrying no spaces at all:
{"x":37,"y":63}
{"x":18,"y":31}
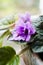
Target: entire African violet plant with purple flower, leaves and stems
{"x":23,"y":31}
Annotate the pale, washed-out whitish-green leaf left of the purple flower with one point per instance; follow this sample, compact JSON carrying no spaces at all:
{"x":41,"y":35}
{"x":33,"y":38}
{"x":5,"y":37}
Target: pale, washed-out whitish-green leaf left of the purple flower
{"x":6,"y":22}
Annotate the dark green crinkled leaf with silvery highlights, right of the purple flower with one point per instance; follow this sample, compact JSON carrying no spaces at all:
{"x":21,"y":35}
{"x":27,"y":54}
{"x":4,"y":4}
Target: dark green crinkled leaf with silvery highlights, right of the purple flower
{"x":37,"y":45}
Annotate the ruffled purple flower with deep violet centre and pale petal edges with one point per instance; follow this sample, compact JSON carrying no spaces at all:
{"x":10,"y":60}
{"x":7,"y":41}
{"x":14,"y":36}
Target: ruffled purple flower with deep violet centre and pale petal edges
{"x":23,"y":29}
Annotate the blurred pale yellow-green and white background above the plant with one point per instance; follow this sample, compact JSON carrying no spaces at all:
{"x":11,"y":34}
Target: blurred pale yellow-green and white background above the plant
{"x":9,"y":7}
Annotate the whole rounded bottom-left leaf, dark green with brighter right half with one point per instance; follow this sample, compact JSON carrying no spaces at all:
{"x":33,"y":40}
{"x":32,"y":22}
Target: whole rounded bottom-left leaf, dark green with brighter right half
{"x":8,"y":56}
